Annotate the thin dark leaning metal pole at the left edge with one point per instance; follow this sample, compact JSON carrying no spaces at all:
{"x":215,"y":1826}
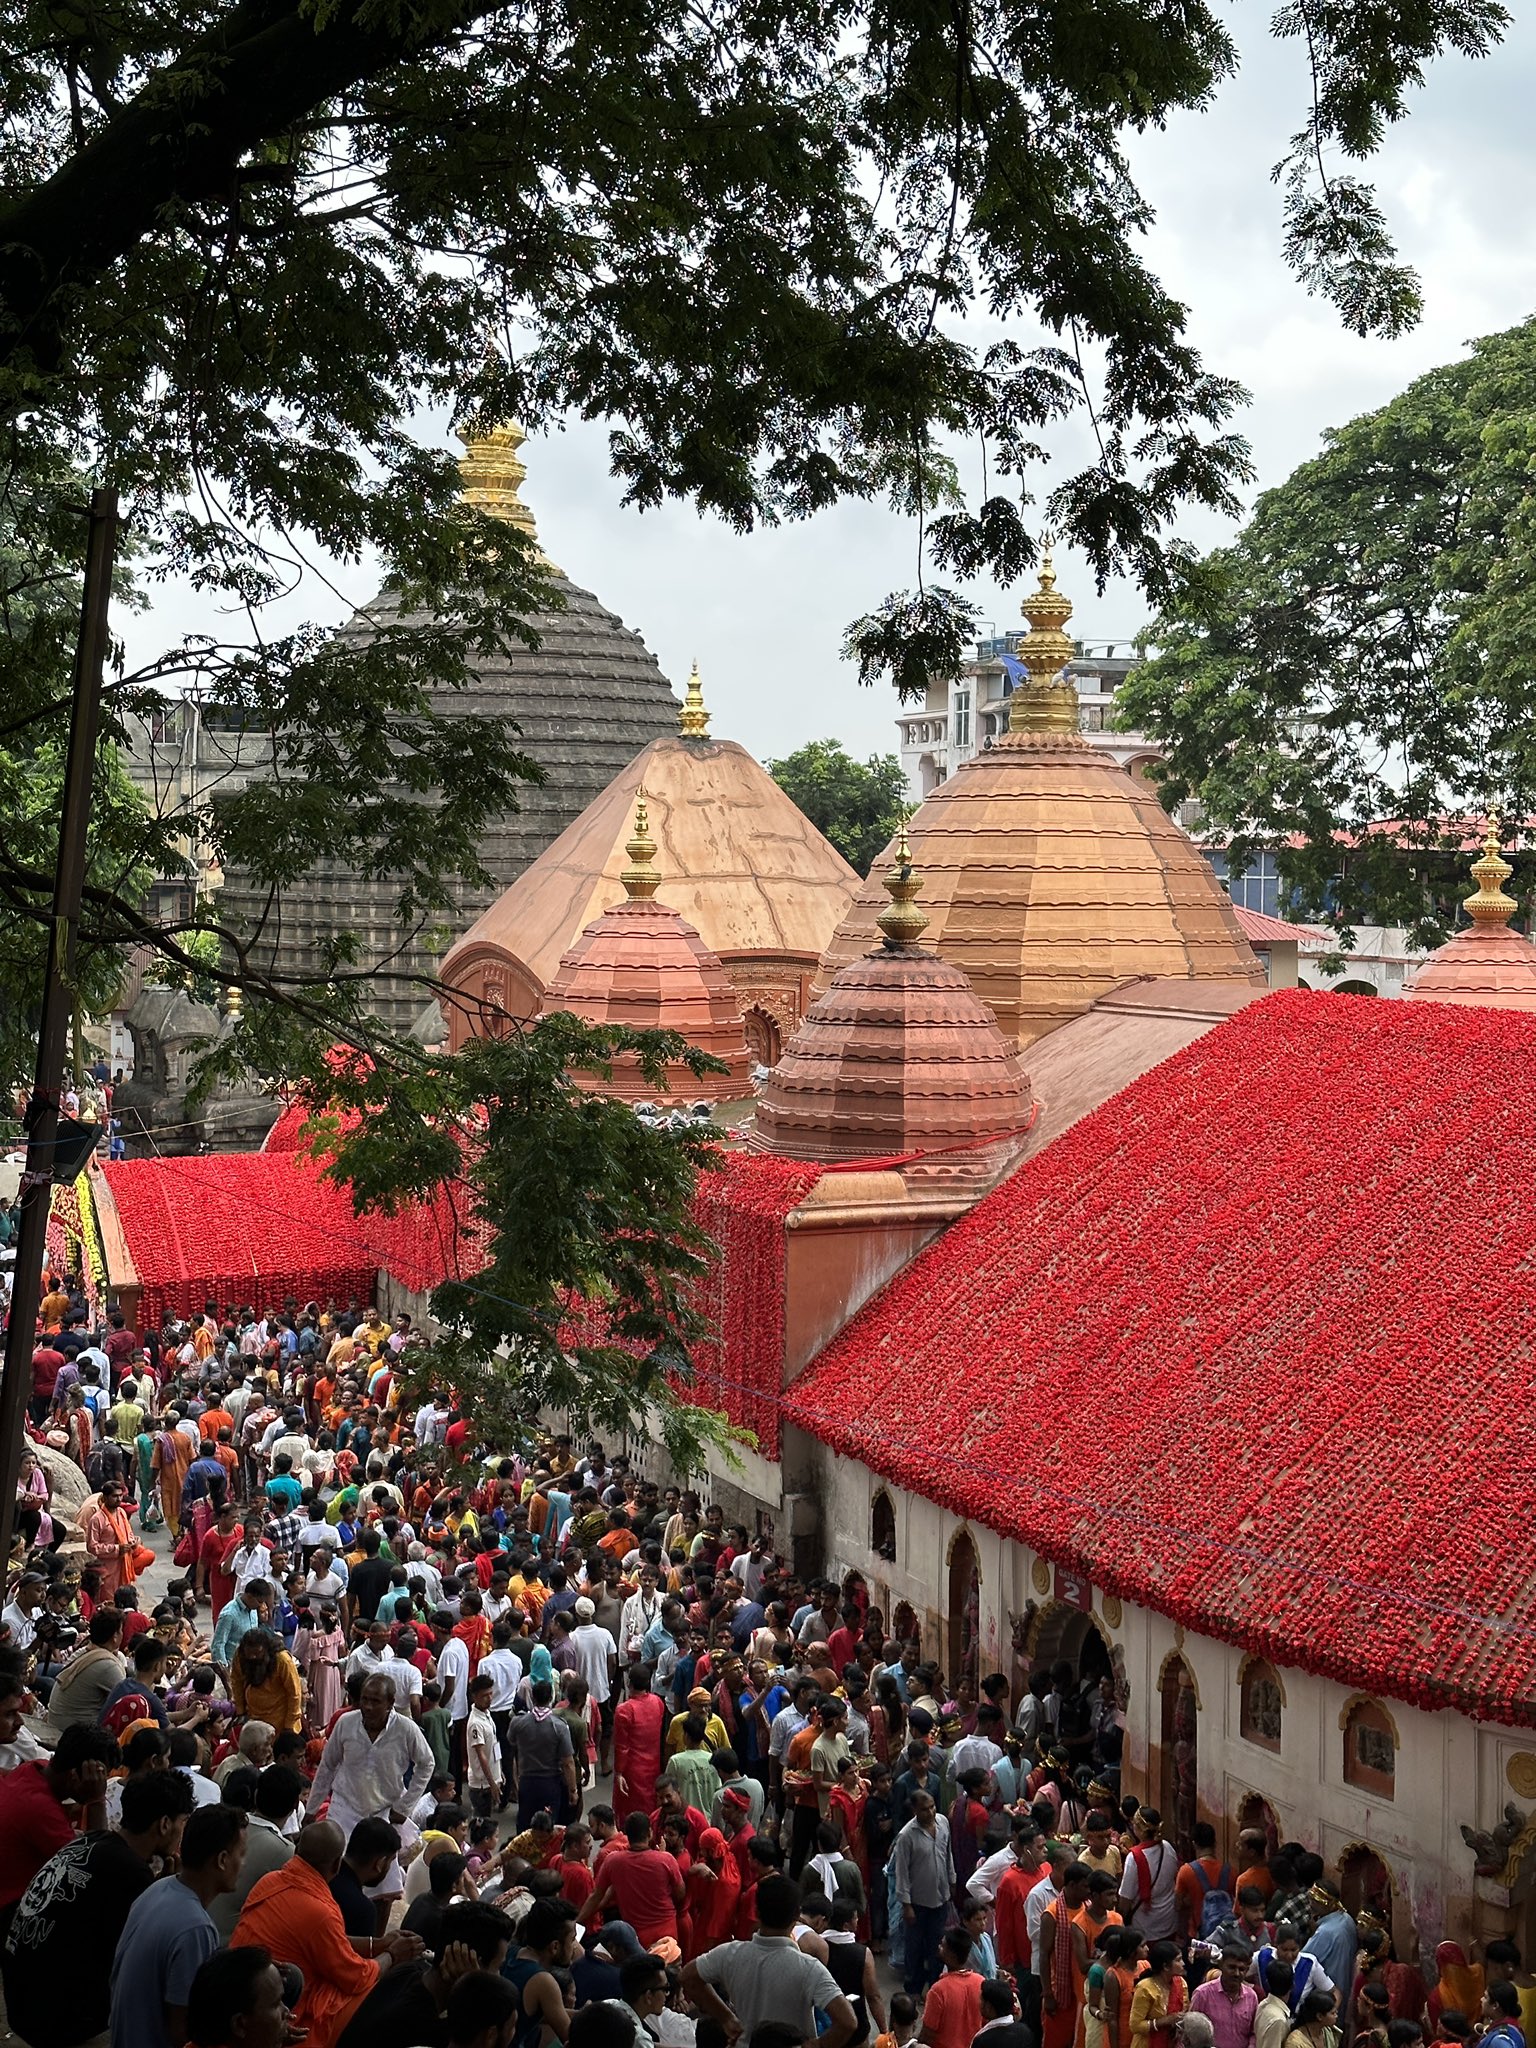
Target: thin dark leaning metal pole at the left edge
{"x":58,"y":1007}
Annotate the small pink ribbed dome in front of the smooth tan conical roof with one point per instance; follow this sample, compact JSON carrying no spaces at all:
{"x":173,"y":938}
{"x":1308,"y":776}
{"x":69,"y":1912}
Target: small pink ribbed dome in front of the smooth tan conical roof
{"x":642,"y":966}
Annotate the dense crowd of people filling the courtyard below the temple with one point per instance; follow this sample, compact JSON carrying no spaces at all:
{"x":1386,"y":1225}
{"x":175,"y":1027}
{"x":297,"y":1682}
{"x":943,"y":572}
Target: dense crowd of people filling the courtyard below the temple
{"x":435,"y":1746}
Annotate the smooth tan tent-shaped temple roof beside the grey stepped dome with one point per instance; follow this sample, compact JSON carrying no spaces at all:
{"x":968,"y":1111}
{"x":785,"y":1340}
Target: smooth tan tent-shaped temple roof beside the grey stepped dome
{"x":755,"y":878}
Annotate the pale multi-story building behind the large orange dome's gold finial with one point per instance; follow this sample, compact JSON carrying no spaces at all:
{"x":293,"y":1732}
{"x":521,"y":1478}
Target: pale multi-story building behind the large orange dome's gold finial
{"x":959,"y":720}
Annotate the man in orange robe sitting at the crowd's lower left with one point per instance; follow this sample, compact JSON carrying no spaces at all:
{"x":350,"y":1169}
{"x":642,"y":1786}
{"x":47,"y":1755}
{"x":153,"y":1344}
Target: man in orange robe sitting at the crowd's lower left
{"x":294,"y":1916}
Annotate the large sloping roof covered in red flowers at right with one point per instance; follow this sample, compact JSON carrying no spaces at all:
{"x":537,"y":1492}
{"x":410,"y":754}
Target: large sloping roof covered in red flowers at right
{"x":1252,"y":1347}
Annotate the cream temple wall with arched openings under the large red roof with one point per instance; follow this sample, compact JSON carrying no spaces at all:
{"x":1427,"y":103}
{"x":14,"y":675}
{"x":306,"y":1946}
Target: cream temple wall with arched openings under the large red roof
{"x":1451,"y":1770}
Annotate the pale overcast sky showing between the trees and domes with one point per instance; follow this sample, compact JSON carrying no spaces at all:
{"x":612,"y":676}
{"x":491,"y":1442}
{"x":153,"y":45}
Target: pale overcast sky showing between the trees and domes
{"x":765,"y":613}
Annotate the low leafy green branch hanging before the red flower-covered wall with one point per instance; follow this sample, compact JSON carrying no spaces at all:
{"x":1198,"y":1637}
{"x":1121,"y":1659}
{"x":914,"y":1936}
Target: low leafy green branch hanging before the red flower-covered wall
{"x":574,"y":1197}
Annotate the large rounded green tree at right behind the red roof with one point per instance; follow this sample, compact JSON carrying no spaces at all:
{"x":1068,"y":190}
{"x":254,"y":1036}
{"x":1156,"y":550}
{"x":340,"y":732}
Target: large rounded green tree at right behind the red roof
{"x":1353,"y":677}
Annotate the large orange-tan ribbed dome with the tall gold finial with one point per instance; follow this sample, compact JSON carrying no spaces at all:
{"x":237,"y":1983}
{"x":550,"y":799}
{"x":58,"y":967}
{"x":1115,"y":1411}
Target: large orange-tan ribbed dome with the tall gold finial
{"x":1052,"y":876}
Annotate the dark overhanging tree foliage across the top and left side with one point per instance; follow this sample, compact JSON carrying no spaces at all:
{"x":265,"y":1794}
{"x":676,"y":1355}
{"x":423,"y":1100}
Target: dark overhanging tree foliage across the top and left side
{"x":245,"y":245}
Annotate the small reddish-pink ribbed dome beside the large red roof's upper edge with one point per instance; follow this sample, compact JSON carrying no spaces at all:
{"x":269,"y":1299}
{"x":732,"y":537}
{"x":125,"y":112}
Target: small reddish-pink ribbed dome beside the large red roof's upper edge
{"x":896,"y":1058}
